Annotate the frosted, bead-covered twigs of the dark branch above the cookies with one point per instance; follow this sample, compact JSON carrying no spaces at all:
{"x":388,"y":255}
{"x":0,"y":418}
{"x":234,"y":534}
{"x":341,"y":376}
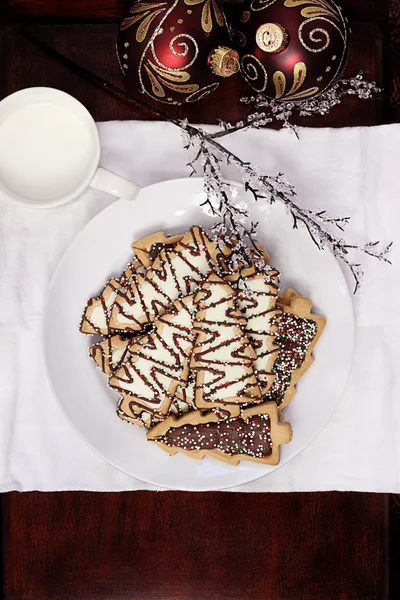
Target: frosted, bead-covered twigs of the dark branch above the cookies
{"x":211,"y":154}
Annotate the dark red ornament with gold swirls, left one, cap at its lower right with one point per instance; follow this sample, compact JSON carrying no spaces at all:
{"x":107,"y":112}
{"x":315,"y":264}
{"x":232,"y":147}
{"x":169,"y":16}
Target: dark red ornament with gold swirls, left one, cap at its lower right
{"x":176,"y":50}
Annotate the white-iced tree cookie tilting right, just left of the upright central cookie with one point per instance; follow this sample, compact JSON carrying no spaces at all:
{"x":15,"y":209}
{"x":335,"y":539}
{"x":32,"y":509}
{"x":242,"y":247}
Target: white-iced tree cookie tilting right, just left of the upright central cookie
{"x":159,"y":362}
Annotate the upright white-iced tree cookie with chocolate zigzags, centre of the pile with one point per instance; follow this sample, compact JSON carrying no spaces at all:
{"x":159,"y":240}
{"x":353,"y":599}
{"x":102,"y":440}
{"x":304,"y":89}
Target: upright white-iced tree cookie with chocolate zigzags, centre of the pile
{"x":222,"y":354}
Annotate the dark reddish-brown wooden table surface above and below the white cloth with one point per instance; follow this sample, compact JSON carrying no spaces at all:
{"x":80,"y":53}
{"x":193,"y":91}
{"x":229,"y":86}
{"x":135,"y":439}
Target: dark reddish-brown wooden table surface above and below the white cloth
{"x":181,"y":546}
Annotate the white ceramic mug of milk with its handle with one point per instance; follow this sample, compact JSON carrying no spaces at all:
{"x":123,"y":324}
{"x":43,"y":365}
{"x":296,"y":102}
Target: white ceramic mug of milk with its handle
{"x":50,"y":150}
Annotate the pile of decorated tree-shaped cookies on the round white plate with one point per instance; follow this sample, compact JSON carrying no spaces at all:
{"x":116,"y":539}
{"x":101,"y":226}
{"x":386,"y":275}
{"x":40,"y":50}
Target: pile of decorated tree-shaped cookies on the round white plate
{"x":204,"y":353}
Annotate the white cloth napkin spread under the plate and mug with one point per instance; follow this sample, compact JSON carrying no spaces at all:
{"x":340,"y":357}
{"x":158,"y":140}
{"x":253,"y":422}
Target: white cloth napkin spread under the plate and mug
{"x":346,"y":171}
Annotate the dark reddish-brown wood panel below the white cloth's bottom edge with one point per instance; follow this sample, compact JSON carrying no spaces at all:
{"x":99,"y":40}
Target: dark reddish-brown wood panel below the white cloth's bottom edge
{"x":182,"y":546}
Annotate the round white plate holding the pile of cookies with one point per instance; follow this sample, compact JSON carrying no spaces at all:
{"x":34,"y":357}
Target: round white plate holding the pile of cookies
{"x":102,"y":250}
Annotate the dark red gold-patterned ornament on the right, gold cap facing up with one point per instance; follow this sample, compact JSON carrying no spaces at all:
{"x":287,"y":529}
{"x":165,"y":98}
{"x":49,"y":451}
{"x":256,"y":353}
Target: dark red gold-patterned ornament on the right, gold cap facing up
{"x":289,"y":49}
